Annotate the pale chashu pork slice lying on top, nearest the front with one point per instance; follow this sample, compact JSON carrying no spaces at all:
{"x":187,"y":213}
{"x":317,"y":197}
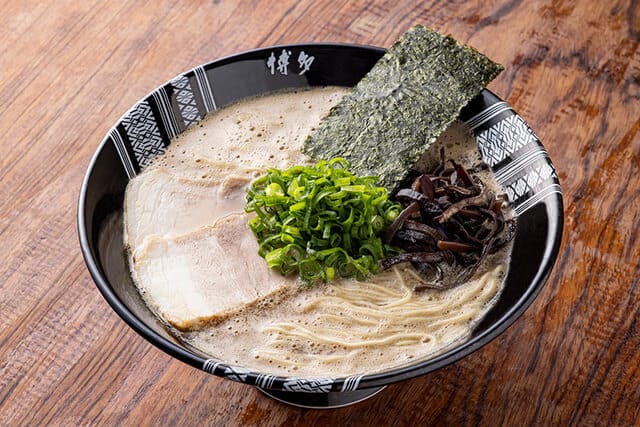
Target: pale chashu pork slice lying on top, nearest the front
{"x":204,"y":276}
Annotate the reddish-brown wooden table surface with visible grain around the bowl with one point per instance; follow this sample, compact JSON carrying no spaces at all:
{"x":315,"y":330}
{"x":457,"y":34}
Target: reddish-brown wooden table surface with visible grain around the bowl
{"x":70,"y":69}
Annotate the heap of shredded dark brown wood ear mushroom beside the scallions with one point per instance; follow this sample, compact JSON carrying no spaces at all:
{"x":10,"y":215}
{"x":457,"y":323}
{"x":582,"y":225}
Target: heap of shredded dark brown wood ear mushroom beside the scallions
{"x":450,"y":223}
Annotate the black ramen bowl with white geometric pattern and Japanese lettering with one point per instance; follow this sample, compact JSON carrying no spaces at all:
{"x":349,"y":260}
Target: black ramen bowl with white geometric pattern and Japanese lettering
{"x":505,"y":141}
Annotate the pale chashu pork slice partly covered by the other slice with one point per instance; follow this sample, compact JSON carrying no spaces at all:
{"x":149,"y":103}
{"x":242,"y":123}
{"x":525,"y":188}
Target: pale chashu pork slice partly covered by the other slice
{"x":164,"y":204}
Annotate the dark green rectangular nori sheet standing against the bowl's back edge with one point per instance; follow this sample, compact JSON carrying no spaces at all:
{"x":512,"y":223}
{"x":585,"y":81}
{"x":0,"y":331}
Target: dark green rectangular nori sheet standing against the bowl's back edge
{"x":402,"y":105}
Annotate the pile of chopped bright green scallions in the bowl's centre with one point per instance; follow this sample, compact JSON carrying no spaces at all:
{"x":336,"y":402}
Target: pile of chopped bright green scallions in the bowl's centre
{"x":321,"y":221}
